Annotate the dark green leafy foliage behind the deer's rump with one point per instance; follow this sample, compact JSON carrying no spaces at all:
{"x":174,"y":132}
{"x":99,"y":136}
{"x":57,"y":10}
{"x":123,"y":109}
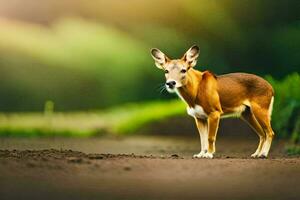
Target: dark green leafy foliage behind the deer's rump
{"x":286,"y":111}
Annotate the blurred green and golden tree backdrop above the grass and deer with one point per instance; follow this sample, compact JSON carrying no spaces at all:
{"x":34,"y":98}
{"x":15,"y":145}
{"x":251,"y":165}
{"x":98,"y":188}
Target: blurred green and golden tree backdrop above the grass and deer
{"x":94,"y":54}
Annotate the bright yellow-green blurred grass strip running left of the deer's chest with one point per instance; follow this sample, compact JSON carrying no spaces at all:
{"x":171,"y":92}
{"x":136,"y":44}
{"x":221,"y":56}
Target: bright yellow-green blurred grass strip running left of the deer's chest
{"x":126,"y":119}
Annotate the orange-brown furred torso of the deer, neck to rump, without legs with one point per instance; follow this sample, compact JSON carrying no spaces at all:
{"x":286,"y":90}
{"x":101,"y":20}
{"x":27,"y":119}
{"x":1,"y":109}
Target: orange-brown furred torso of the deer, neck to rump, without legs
{"x":217,"y":92}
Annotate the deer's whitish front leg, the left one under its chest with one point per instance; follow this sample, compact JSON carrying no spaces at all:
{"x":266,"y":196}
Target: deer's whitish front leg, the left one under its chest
{"x":202,"y":129}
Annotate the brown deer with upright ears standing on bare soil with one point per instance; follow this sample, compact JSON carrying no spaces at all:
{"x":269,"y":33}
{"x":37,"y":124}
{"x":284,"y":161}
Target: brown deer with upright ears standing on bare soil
{"x":209,"y":98}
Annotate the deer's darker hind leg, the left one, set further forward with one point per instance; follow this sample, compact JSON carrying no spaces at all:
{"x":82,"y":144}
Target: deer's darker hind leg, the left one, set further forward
{"x":249,"y":117}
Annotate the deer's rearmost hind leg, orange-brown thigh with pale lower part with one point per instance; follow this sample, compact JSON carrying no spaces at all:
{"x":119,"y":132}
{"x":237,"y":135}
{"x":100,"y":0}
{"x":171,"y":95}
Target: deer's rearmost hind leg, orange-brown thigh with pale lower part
{"x":263,"y":117}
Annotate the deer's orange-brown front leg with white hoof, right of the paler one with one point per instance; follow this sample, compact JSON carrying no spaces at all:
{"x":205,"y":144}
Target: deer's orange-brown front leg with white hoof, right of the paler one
{"x":213,"y":124}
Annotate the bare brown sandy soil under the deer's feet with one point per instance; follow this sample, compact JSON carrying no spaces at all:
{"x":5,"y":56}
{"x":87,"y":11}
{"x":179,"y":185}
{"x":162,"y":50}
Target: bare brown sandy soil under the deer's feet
{"x":148,"y":168}
